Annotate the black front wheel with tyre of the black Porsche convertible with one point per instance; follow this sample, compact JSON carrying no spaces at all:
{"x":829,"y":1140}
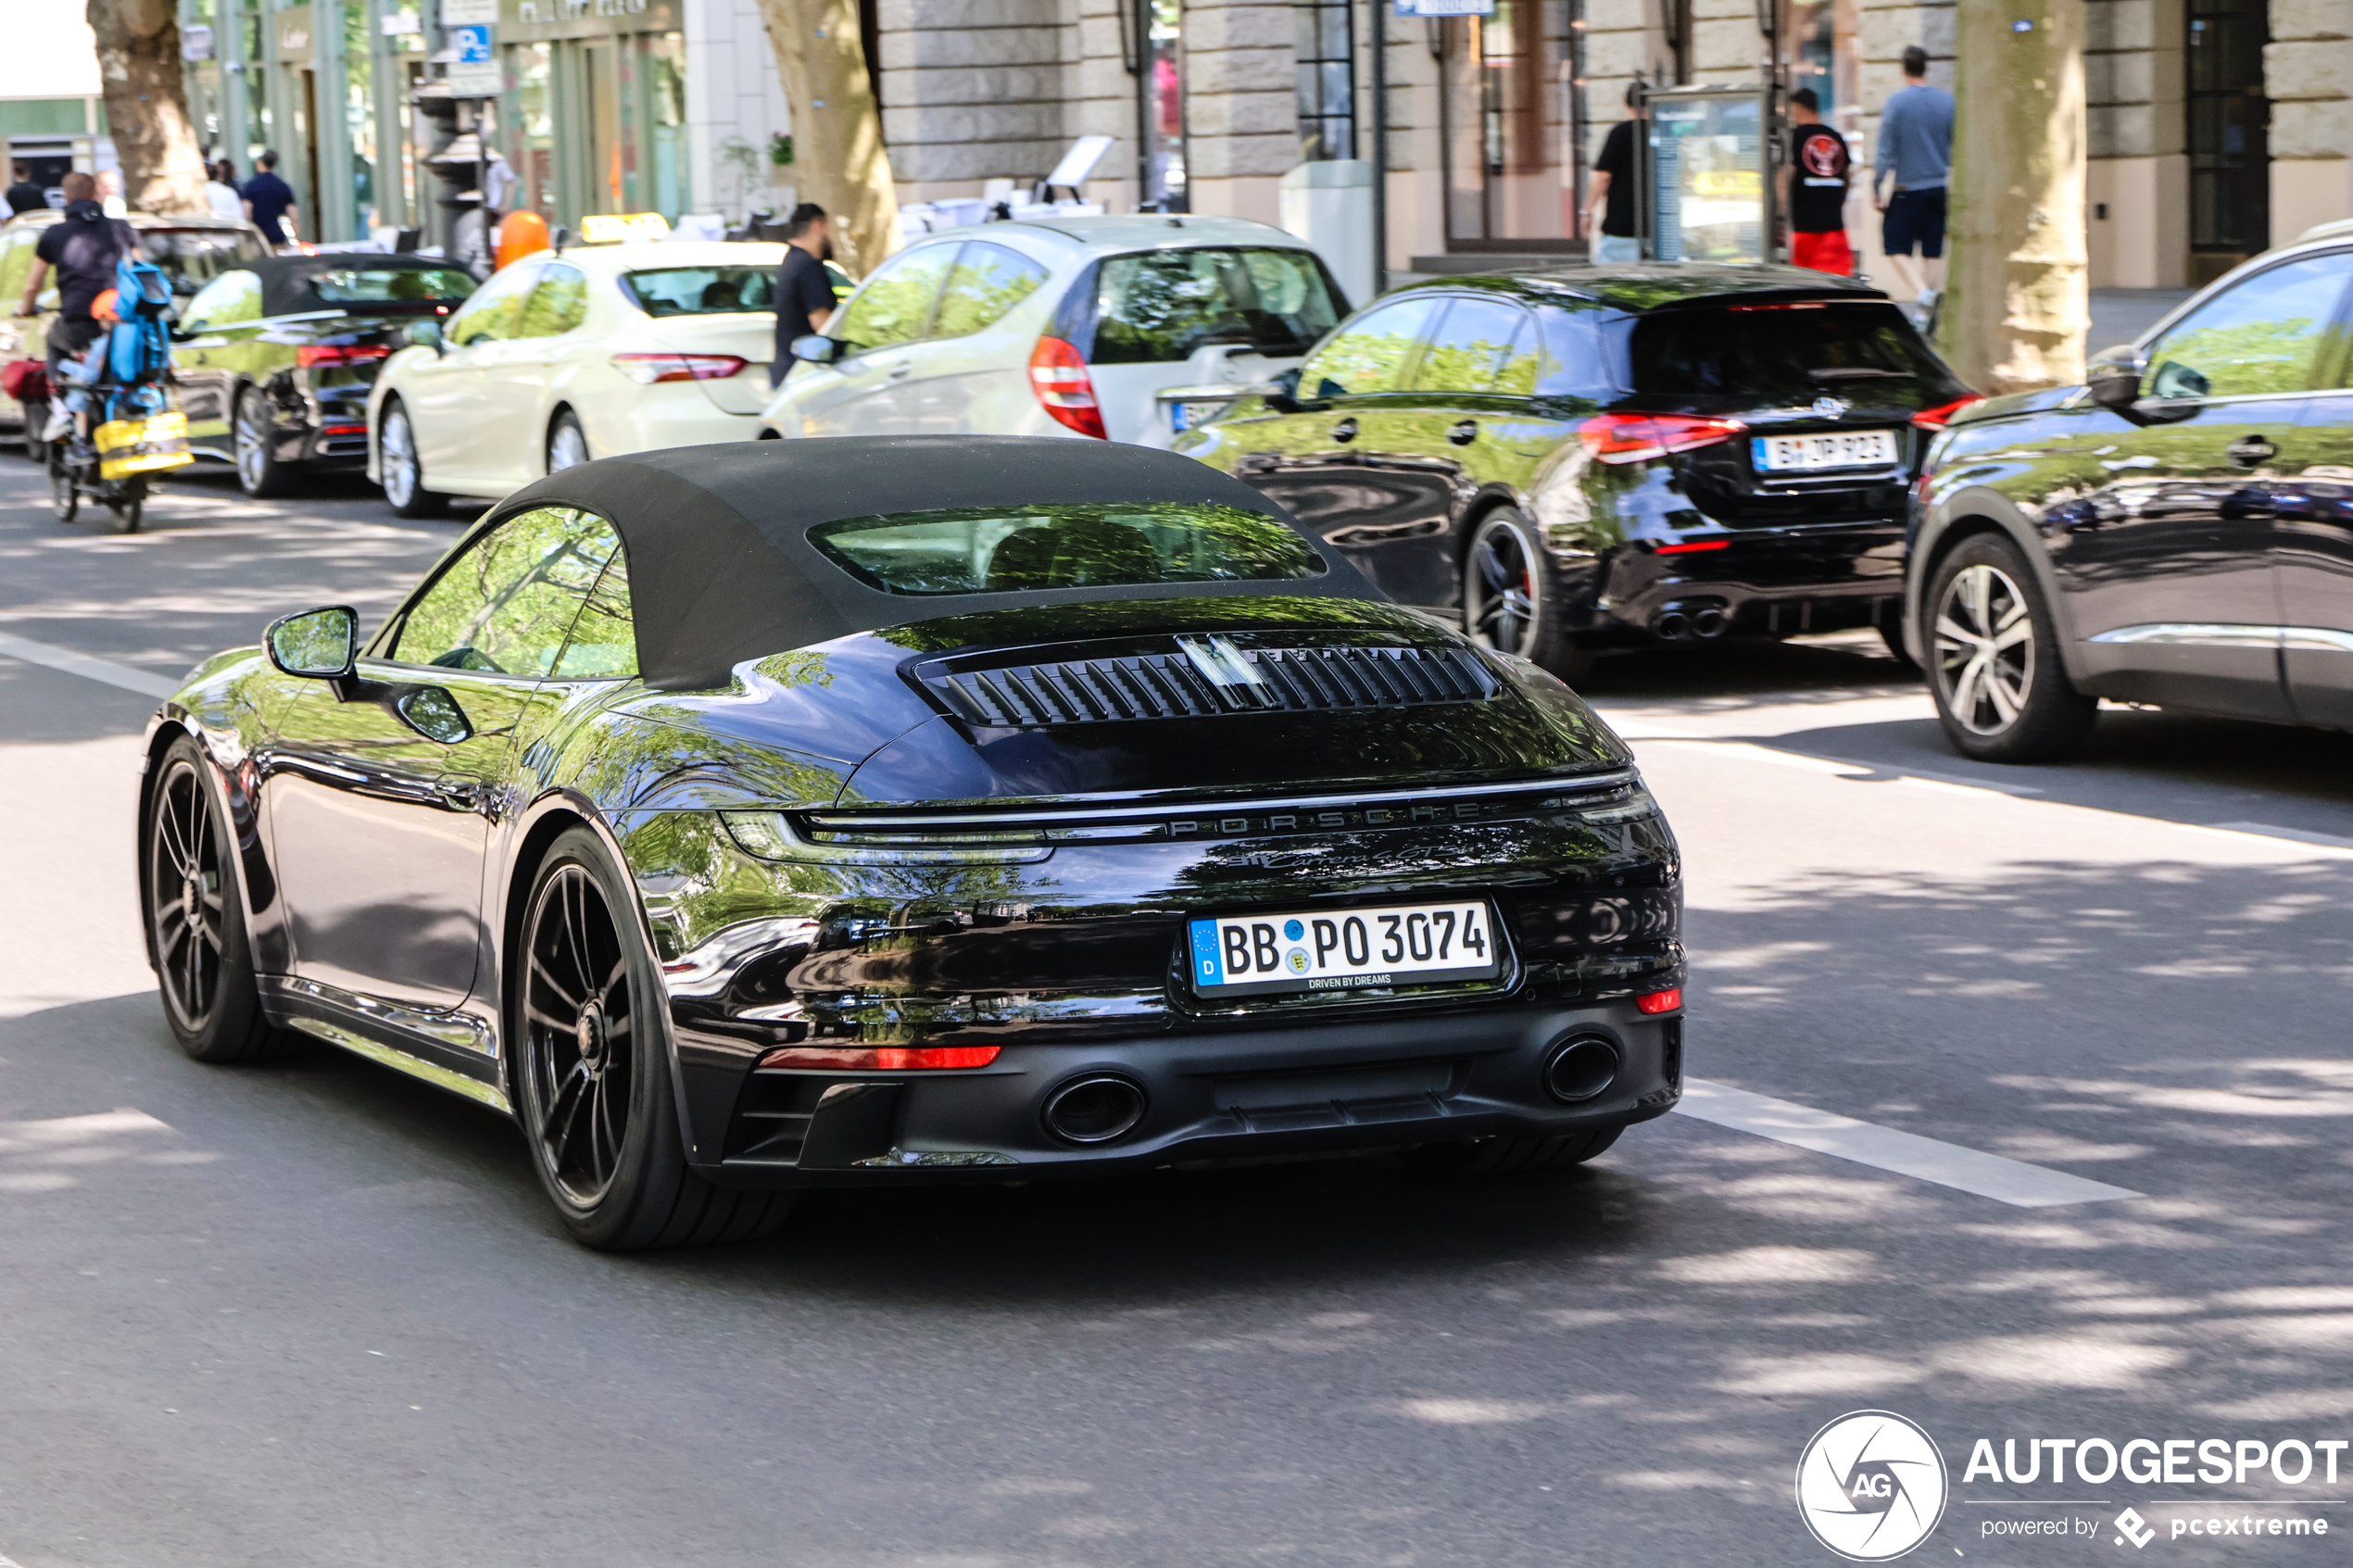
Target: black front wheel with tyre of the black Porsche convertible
{"x":196,"y":920}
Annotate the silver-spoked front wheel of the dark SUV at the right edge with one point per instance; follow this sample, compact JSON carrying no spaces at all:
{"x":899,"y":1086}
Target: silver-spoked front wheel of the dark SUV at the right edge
{"x":1994,"y":666}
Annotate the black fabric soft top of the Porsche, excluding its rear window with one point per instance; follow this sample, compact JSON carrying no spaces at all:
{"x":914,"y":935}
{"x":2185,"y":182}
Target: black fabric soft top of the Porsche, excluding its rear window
{"x":721,"y":568}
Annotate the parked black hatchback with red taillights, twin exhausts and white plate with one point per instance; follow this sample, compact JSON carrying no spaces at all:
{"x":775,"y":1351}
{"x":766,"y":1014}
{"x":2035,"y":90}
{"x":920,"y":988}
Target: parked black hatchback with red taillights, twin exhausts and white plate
{"x":1608,"y":457}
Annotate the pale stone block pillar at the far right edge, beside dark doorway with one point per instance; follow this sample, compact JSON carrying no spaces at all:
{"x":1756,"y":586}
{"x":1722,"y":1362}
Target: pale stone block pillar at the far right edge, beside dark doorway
{"x":2307,"y":74}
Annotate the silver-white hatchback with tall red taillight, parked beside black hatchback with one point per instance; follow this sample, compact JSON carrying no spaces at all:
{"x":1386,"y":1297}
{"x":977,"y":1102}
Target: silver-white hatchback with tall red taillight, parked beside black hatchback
{"x":1124,"y":330}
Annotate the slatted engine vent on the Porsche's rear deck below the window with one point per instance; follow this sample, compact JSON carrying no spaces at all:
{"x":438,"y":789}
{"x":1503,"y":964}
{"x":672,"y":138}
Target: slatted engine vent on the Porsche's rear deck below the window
{"x":1206,"y":678}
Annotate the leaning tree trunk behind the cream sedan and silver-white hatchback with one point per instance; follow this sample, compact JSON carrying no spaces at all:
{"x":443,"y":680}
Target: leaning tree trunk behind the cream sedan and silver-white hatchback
{"x":839,"y":156}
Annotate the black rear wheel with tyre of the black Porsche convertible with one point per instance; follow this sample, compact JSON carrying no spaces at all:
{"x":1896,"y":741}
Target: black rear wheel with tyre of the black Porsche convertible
{"x":596,"y":1099}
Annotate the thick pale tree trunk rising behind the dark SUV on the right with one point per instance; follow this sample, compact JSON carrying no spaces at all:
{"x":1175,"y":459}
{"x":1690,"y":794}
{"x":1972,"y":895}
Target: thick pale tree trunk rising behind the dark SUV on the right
{"x":2015,"y":304}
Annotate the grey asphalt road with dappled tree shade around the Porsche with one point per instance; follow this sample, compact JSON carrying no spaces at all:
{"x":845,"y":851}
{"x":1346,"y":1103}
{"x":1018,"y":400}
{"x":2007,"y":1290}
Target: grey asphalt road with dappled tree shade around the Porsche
{"x":316,"y":1313}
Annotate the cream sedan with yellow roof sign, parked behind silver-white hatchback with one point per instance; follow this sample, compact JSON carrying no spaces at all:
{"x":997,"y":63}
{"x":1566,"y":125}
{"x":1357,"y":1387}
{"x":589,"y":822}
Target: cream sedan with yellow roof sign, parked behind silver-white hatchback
{"x":573,"y":356}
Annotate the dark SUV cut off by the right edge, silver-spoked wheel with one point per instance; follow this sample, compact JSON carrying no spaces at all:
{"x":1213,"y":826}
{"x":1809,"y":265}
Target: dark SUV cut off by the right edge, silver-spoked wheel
{"x":2175,"y":532}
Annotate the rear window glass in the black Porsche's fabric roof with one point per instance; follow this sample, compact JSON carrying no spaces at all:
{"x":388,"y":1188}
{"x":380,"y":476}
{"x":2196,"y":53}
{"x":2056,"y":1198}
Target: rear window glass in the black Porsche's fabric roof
{"x":1065,"y":547}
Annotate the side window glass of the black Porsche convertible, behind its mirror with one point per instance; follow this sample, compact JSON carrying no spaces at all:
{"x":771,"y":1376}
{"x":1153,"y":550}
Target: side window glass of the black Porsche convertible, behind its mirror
{"x":512,"y":598}
